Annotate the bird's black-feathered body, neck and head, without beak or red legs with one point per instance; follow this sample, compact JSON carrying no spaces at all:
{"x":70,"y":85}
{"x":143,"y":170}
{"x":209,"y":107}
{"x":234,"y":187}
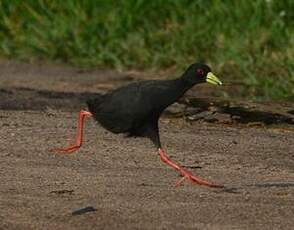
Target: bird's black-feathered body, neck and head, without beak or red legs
{"x":135,"y":109}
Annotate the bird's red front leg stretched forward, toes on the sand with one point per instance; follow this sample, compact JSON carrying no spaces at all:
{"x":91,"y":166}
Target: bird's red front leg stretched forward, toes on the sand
{"x":185,"y":173}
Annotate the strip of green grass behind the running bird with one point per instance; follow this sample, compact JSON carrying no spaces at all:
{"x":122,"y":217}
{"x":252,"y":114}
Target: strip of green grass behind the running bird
{"x":244,"y":41}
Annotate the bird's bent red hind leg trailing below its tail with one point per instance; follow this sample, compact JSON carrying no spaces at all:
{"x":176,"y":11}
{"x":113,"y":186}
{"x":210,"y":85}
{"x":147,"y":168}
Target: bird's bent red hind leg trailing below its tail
{"x":79,"y":137}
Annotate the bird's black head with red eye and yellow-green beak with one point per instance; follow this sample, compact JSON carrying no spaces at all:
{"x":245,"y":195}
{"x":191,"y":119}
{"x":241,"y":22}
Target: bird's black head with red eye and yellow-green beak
{"x":200,"y":73}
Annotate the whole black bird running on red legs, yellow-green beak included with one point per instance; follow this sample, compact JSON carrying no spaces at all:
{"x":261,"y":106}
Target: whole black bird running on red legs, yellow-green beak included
{"x":135,"y":109}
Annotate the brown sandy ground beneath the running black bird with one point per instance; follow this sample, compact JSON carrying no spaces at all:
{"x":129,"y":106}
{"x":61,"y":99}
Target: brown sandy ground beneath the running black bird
{"x":121,"y":181}
